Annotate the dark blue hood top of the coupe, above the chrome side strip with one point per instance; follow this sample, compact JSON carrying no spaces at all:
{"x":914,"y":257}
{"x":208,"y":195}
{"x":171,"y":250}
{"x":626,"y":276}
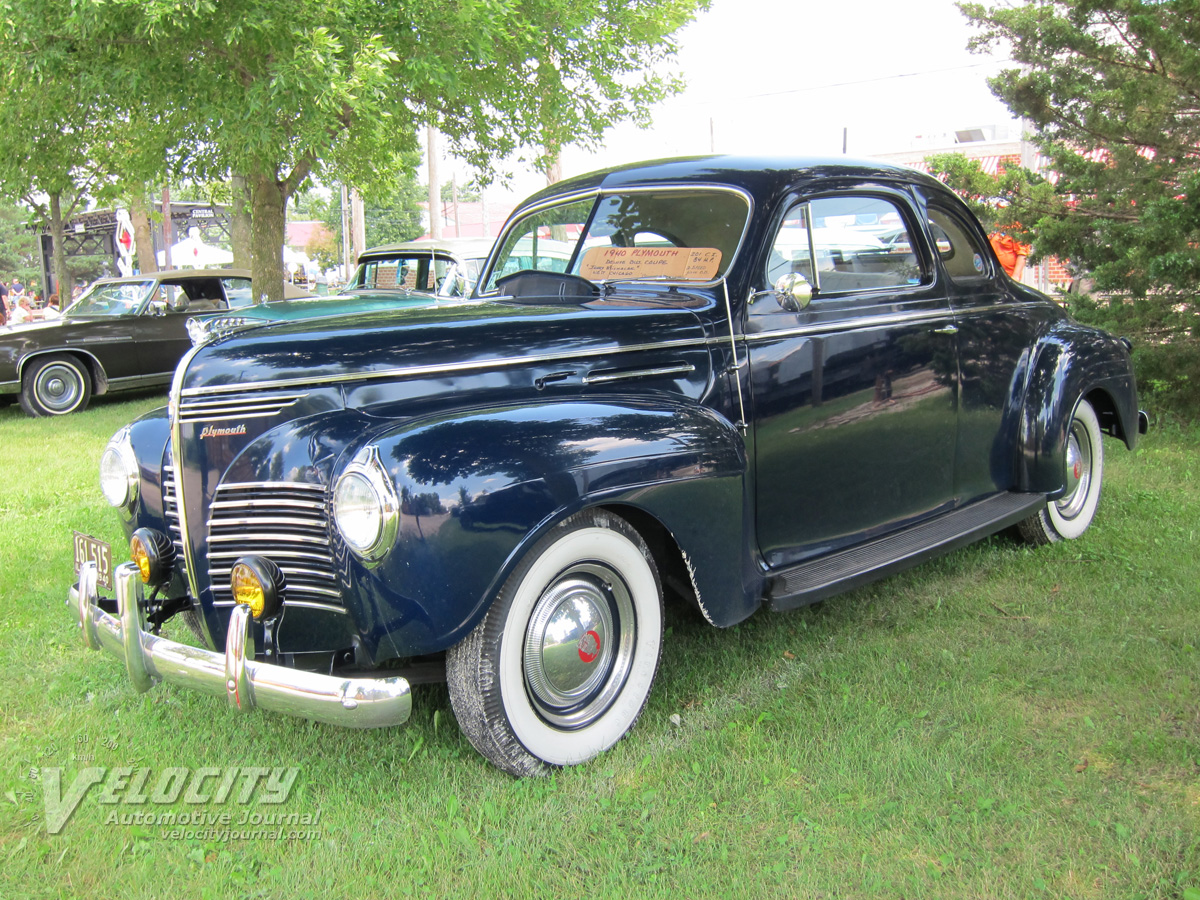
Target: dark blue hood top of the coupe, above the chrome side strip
{"x":424,"y":343}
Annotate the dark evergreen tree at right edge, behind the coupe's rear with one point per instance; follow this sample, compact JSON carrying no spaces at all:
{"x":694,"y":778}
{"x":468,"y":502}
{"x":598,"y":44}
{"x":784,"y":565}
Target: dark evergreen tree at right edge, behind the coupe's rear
{"x":1113,"y":88}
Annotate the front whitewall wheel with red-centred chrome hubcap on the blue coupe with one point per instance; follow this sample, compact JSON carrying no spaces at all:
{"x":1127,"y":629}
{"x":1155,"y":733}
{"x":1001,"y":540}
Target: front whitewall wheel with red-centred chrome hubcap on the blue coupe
{"x":561,"y":667}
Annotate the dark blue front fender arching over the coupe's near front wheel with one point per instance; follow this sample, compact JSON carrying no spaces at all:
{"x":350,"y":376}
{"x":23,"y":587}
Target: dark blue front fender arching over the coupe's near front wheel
{"x":478,"y":489}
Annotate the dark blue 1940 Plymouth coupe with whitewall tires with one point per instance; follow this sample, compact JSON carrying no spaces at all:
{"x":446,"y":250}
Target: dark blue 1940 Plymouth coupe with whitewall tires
{"x":740,"y":382}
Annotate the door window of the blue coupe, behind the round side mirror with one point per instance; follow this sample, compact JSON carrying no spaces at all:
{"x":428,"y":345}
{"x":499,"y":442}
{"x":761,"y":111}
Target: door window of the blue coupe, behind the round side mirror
{"x":847,"y":244}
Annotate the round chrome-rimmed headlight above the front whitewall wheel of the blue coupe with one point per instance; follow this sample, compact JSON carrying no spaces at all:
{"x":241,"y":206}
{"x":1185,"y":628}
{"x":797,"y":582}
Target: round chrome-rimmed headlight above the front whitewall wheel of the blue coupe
{"x":365,"y":488}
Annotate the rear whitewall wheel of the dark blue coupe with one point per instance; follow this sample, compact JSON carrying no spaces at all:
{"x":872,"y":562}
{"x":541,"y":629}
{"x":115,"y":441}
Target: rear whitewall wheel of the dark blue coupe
{"x":1070,"y":517}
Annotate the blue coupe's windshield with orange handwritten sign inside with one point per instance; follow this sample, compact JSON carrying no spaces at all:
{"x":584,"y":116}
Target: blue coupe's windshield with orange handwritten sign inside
{"x":653,"y":235}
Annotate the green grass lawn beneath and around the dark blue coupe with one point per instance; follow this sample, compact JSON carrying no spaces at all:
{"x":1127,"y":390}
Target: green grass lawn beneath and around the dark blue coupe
{"x":1004,"y":723}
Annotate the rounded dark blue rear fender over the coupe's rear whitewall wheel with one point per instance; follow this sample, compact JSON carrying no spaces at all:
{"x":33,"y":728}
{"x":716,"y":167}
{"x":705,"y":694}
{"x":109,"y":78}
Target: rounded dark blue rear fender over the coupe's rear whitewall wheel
{"x":1073,"y":363}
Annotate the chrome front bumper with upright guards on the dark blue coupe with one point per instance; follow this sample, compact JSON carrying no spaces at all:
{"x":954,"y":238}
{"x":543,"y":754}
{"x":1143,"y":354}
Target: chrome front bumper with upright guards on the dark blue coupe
{"x":248,"y":685}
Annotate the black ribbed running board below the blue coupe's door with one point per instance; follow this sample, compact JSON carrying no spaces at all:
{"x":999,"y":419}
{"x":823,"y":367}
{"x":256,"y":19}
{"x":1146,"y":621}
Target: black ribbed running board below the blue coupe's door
{"x":813,"y":581}
